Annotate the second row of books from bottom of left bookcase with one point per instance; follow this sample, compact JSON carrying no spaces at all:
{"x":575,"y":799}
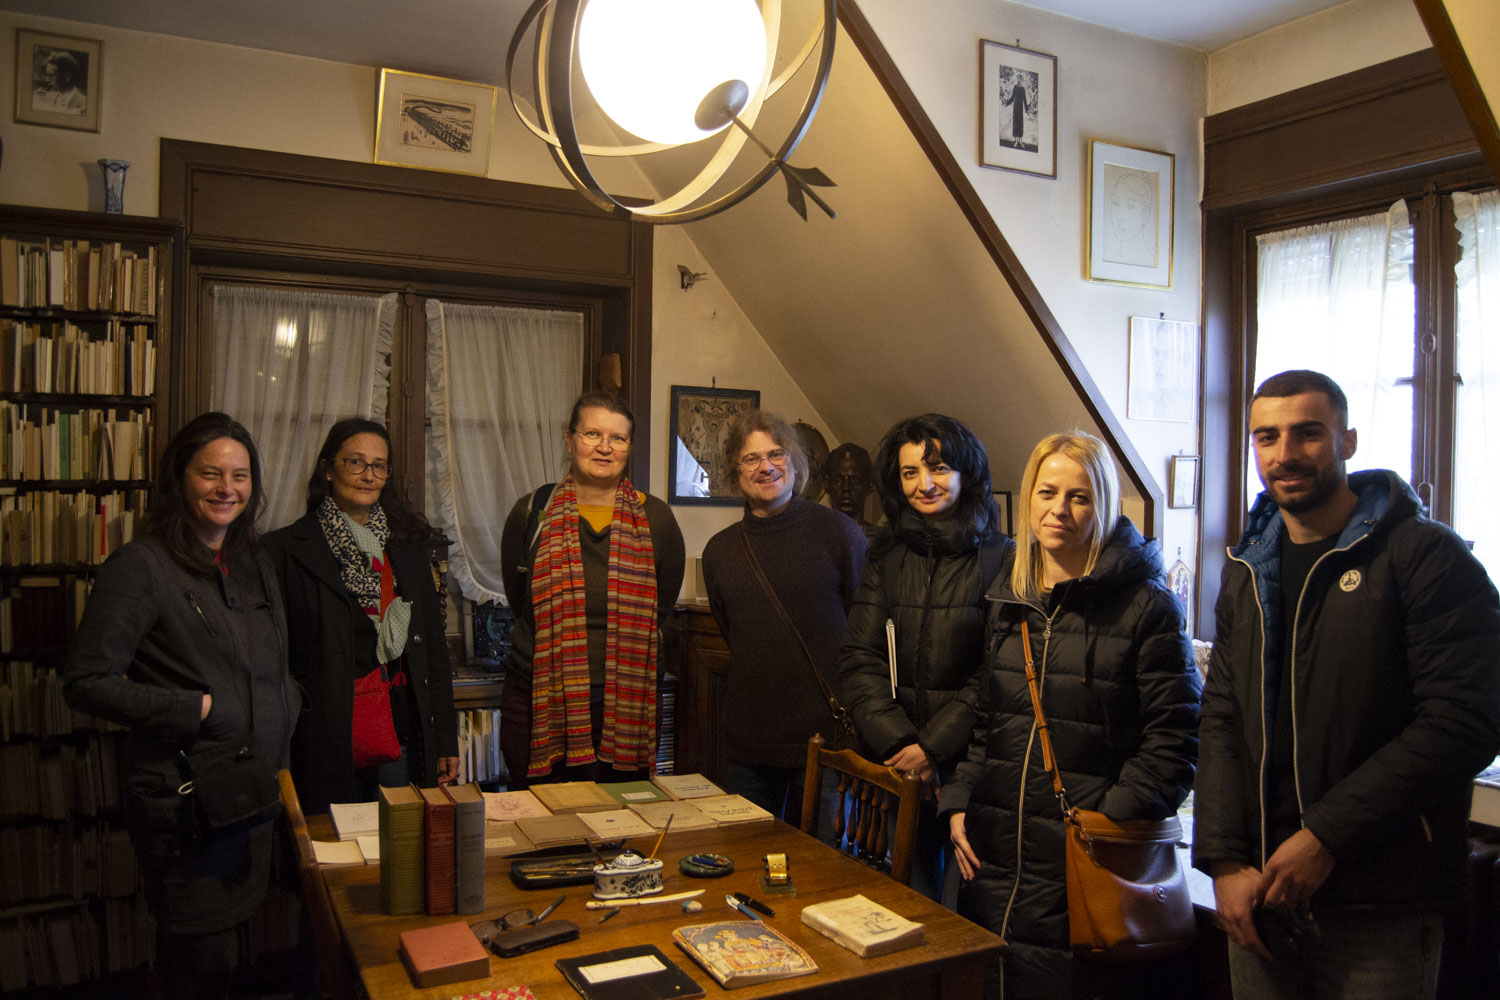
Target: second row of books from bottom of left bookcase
{"x":92,"y":860}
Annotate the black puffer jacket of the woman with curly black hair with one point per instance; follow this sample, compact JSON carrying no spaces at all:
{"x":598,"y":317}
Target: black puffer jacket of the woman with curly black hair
{"x":931,"y":581}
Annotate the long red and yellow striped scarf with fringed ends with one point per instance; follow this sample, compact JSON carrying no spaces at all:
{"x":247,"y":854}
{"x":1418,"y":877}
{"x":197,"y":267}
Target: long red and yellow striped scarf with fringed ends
{"x":560,"y":719}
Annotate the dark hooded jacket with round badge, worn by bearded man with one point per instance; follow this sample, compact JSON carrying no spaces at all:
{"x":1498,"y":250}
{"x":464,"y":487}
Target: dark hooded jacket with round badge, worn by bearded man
{"x":1397,"y":699}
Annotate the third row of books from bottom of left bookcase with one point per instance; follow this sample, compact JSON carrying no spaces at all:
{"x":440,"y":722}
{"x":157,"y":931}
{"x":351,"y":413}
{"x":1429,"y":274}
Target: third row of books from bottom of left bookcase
{"x":70,"y":779}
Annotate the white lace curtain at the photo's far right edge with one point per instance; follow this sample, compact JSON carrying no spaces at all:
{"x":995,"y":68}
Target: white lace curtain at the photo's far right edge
{"x":1477,"y":478}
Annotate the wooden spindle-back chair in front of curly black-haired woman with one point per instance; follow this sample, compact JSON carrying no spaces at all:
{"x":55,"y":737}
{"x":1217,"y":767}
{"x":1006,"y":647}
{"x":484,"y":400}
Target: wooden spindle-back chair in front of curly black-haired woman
{"x":869,"y":795}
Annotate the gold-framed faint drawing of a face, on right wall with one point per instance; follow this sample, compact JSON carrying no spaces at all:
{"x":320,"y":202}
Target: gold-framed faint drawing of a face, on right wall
{"x":1130,"y":215}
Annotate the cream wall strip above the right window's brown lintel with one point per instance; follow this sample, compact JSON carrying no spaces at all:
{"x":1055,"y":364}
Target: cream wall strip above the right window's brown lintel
{"x":1318,"y":47}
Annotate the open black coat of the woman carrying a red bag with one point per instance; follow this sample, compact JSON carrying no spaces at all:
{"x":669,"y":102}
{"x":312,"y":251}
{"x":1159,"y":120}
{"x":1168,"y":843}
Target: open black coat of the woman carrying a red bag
{"x":332,"y":644}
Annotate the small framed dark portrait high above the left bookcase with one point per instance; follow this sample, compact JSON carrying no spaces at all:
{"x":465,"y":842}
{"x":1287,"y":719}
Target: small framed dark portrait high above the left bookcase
{"x":59,"y":80}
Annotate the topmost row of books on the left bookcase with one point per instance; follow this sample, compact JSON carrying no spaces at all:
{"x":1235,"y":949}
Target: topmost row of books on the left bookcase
{"x":85,"y":275}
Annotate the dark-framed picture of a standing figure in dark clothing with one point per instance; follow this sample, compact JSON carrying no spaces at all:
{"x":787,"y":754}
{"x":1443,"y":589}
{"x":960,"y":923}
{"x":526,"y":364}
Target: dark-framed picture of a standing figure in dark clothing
{"x":1018,"y":110}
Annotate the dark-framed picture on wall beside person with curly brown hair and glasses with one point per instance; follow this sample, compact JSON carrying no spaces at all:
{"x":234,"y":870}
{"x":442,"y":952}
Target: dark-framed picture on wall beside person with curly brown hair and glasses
{"x":697,"y":469}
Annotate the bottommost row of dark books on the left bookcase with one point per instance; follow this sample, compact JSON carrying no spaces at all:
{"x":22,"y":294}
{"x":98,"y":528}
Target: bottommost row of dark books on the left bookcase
{"x":62,"y":948}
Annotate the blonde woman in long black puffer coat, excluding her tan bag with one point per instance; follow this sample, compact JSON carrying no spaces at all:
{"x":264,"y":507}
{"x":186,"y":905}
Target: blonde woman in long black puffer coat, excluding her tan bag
{"x":1121,"y":695}
